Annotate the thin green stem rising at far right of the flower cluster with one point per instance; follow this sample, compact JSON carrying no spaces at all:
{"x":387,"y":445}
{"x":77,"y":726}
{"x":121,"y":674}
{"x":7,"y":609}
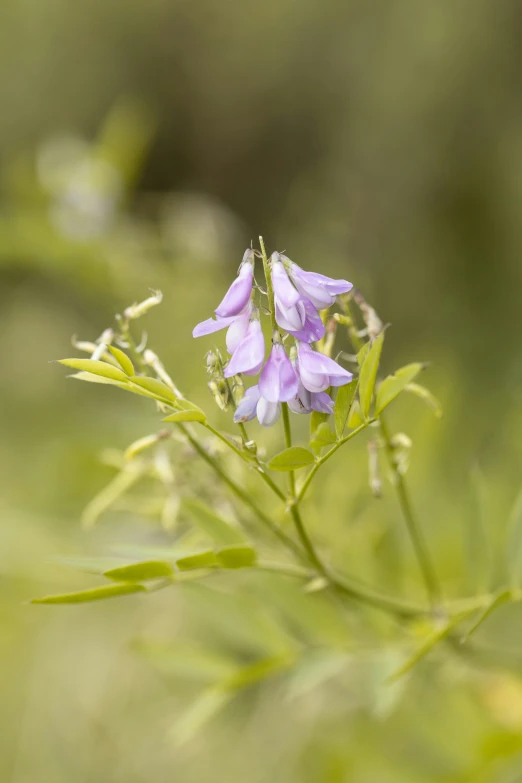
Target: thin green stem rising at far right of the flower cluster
{"x":416,"y":536}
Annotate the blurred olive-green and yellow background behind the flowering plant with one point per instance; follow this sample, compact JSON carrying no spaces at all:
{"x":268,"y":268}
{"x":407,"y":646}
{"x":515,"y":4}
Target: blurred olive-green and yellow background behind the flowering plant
{"x":143,"y":145}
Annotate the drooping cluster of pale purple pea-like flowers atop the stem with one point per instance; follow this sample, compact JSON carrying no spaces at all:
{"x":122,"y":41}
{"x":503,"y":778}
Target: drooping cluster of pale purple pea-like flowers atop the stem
{"x":301,"y":379}
